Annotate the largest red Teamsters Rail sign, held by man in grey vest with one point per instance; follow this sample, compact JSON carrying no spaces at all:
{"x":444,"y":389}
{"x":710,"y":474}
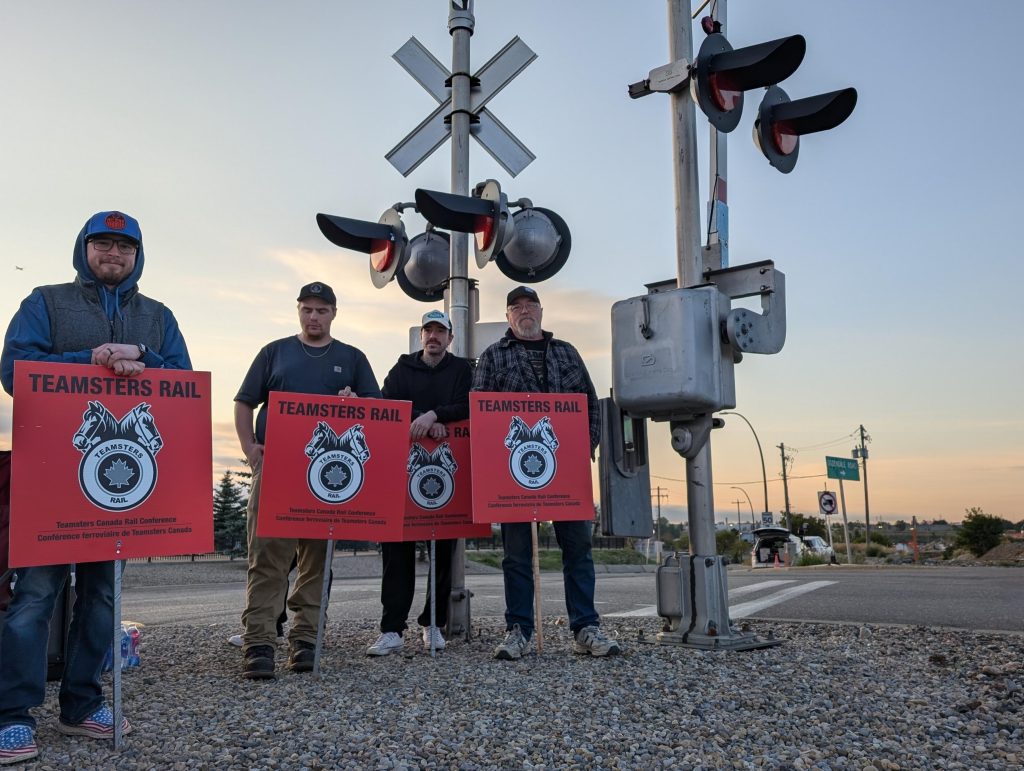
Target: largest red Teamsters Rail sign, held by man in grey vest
{"x":108,"y":467}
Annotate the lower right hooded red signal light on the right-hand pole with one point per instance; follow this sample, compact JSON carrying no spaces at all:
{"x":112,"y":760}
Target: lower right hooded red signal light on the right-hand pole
{"x":781,"y":122}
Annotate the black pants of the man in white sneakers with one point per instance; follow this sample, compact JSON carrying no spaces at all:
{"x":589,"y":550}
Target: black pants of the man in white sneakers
{"x":399,"y":585}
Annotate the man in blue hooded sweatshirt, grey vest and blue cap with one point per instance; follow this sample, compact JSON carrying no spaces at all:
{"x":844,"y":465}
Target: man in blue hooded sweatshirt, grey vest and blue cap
{"x":100,"y":319}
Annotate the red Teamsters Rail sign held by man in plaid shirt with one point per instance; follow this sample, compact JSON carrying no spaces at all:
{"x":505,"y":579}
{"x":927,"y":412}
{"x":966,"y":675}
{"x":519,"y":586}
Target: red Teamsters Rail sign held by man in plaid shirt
{"x":531,"y":457}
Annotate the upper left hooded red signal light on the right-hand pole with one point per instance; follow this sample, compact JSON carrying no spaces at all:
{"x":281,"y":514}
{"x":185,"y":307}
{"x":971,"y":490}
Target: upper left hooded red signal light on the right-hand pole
{"x":722,"y":73}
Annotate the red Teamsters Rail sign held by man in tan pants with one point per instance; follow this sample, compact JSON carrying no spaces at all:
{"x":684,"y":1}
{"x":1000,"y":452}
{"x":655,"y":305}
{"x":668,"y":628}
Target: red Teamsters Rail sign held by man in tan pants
{"x":330,"y":466}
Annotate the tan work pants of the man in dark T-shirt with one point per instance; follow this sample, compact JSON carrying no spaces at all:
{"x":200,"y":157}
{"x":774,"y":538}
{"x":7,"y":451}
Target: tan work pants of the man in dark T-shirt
{"x":270,"y":562}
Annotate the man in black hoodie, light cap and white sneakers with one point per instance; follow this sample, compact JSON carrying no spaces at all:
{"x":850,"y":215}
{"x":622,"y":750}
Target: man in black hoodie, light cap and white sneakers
{"x":438,"y":384}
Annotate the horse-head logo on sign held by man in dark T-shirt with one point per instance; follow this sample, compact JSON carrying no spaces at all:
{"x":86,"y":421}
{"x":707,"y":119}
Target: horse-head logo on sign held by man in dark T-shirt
{"x":335,"y":474}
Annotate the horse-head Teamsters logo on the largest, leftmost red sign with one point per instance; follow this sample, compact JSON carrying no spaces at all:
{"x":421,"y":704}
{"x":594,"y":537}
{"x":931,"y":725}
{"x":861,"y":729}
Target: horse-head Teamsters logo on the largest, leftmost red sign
{"x":119,"y":468}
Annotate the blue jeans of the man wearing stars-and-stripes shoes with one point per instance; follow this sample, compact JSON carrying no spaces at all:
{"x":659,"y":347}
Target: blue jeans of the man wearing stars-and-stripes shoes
{"x":26,"y":632}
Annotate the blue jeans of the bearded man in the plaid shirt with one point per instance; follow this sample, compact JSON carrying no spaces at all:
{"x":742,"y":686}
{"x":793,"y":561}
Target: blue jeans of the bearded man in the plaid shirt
{"x":578,"y":575}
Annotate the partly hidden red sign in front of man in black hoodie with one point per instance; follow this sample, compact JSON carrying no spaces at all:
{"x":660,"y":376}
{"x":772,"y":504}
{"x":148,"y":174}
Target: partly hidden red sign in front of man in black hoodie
{"x":440,"y":499}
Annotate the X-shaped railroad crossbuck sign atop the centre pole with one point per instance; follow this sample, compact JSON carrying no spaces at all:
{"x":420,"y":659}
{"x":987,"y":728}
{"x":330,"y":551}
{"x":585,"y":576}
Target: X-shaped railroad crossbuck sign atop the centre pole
{"x":501,"y":144}
